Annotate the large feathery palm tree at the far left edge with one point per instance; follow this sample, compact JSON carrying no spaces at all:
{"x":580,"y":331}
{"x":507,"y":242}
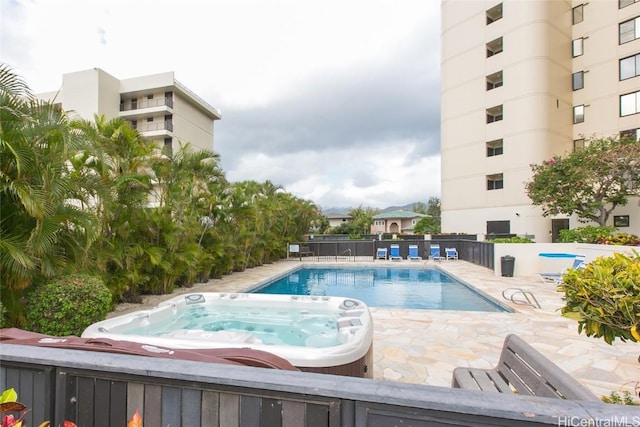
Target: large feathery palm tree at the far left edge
{"x":44,"y":230}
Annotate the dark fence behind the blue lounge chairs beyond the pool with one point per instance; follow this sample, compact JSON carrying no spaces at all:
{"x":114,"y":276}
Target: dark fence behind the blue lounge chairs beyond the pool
{"x":480,"y":253}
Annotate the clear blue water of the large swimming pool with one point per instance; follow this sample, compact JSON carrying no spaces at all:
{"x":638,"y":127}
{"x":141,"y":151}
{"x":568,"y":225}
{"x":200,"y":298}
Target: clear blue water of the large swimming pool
{"x":390,"y":287}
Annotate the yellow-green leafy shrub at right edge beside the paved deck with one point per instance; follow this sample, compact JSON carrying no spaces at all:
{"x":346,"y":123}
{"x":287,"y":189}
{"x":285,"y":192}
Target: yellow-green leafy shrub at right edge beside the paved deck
{"x":604,"y":297}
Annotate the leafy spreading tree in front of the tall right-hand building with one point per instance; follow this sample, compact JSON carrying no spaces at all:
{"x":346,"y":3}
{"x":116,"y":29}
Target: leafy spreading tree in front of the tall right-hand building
{"x":590,"y":182}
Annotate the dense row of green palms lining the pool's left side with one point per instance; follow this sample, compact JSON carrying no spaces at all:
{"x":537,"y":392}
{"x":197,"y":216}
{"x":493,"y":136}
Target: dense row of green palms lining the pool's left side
{"x":97,"y":197}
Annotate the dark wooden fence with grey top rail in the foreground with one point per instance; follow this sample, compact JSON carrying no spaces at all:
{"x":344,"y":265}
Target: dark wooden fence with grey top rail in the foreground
{"x":102,"y":389}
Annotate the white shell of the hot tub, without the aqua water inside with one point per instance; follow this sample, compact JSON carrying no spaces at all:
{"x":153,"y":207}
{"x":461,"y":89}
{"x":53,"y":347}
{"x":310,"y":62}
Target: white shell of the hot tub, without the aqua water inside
{"x":348,"y":353}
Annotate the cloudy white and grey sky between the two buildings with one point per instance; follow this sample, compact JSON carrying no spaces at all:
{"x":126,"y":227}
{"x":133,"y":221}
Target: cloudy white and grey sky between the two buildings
{"x":335,"y":100}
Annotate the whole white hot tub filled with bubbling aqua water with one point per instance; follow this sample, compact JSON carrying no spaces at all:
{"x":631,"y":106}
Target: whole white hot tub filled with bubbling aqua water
{"x":317,"y":334}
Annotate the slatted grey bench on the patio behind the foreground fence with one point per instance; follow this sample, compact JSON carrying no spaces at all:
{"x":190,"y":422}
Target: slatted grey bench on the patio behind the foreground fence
{"x":525,"y":371}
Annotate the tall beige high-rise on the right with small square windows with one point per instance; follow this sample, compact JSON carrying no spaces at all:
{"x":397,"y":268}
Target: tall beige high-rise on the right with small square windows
{"x":523,"y":81}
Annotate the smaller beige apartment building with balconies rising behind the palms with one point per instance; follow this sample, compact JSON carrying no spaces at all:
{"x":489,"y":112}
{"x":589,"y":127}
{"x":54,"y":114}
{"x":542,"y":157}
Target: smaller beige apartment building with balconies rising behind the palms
{"x":158,"y":106}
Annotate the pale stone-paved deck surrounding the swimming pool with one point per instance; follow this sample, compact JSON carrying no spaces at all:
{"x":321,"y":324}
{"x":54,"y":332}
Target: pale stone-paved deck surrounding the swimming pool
{"x":424,"y":346}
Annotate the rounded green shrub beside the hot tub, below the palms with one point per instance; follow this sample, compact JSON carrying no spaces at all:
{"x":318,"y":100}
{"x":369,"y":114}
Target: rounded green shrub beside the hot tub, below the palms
{"x":67,"y":306}
